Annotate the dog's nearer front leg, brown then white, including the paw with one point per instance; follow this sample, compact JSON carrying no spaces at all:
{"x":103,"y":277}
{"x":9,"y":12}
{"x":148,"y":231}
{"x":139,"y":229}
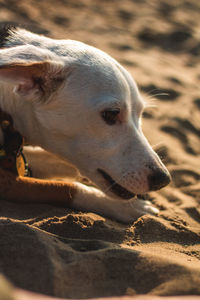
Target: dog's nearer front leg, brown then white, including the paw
{"x":74,"y":195}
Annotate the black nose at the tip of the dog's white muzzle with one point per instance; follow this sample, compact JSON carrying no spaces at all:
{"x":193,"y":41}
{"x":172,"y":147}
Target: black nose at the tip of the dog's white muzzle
{"x":158,"y":179}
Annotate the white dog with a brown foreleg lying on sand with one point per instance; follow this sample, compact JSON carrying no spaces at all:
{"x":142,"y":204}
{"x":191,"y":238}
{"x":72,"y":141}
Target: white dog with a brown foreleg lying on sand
{"x":79,"y":111}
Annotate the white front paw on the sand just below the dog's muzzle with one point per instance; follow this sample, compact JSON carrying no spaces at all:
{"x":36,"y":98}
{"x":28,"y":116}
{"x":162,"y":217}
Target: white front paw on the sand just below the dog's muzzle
{"x":132,"y":209}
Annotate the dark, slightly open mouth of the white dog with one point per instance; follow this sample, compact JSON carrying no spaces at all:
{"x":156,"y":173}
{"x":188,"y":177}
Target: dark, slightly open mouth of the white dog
{"x":115,"y":187}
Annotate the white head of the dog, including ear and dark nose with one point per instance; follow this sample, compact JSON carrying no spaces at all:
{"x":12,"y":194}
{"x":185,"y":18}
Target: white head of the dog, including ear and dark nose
{"x":88,"y":110}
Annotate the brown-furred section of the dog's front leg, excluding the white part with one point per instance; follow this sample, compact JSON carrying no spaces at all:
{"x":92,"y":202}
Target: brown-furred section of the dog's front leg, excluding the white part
{"x":24,"y":189}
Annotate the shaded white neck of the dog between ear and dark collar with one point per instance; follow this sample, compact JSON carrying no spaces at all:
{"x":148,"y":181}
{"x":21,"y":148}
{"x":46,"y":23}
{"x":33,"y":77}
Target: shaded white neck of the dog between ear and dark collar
{"x":22,"y":114}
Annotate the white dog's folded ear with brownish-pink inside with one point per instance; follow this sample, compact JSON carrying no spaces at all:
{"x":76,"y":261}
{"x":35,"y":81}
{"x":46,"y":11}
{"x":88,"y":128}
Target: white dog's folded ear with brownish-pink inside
{"x":34,"y":72}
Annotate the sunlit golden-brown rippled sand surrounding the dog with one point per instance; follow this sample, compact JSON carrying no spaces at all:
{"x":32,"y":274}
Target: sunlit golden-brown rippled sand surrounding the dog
{"x":63,"y":253}
